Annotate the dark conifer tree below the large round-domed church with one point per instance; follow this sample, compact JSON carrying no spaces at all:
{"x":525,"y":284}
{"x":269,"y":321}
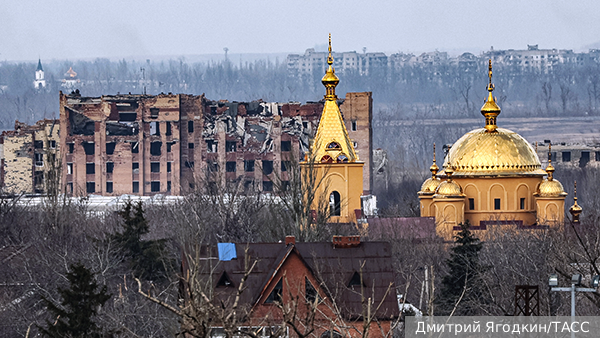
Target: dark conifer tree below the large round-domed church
{"x":462,"y":292}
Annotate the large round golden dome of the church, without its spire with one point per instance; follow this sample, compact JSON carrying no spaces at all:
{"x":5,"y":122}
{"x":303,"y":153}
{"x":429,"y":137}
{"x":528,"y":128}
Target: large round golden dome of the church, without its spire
{"x":499,"y":153}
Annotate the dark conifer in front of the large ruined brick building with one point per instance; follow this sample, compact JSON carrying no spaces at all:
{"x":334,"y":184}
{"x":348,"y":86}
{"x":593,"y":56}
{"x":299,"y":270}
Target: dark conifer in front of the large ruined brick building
{"x":146,"y":257}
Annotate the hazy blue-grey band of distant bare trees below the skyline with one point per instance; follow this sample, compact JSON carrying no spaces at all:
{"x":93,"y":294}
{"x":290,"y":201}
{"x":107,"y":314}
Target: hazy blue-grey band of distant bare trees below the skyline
{"x":403,"y":92}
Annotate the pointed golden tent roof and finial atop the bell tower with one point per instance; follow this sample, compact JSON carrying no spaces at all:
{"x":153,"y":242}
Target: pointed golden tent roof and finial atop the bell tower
{"x":331,"y":142}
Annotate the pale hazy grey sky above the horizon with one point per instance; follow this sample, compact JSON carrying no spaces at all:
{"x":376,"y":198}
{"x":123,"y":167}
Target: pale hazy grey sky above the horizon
{"x":68,"y":29}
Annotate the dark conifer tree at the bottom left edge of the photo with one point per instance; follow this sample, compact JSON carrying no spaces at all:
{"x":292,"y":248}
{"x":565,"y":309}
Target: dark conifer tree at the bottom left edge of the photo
{"x":74,"y":317}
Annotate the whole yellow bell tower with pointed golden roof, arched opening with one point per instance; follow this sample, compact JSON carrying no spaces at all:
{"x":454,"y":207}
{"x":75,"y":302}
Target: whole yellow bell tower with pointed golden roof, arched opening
{"x":334,"y":167}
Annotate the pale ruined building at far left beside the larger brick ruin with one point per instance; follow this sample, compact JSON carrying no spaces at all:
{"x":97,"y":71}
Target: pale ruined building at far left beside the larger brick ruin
{"x":29,"y":161}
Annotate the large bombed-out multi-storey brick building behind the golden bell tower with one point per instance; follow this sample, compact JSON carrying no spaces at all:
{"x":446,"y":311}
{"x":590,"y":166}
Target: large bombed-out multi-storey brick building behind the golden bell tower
{"x":169,"y":143}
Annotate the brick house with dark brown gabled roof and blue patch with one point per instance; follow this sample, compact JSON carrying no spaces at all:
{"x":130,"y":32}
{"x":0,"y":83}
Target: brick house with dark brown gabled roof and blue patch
{"x":293,"y":280}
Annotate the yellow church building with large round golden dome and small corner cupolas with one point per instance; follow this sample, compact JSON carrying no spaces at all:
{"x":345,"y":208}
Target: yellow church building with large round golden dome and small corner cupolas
{"x":492,"y":176}
